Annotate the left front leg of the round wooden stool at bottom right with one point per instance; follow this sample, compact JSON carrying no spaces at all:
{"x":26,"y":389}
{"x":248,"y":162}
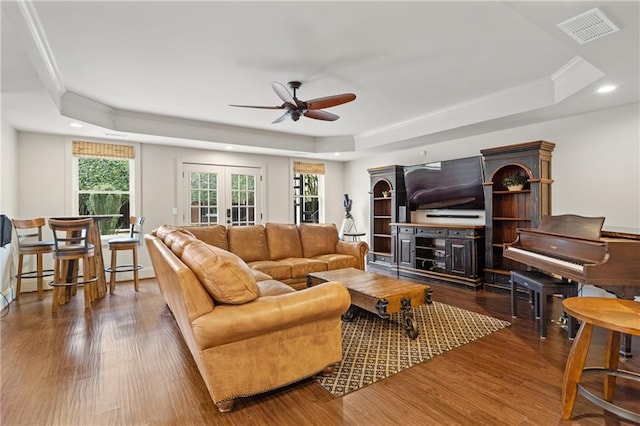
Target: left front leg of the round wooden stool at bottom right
{"x":573,"y":370}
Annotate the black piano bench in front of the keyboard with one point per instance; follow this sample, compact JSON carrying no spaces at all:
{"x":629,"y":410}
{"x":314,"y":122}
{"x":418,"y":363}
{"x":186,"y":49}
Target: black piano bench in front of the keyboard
{"x":542,"y":286}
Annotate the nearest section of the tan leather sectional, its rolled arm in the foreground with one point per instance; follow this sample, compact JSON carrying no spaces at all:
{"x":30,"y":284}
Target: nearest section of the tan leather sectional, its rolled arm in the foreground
{"x":247,"y":333}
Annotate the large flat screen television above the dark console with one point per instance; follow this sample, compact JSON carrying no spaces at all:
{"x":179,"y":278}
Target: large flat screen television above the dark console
{"x":451,"y":184}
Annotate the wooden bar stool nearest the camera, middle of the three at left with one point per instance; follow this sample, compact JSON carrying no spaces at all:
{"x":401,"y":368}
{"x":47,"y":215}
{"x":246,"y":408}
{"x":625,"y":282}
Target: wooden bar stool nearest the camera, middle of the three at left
{"x":71,"y":237}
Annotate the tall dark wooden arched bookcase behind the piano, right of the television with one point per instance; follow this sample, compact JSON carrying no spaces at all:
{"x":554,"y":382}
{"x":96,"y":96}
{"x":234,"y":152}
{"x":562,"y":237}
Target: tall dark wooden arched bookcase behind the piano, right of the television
{"x":505,"y":210}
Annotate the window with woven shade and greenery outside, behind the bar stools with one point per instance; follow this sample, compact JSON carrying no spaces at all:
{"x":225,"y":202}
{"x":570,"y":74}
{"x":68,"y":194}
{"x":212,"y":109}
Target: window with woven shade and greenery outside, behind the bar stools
{"x":104,"y":183}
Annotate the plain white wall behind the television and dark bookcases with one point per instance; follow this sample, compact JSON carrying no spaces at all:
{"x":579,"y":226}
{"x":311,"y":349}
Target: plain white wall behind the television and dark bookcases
{"x":595,"y":164}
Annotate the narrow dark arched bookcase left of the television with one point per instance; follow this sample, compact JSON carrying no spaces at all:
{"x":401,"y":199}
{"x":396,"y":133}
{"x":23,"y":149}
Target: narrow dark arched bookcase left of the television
{"x":388,"y":205}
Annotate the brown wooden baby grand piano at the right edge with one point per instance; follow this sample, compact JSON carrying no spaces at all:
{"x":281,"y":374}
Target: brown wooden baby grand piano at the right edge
{"x":577,"y":249}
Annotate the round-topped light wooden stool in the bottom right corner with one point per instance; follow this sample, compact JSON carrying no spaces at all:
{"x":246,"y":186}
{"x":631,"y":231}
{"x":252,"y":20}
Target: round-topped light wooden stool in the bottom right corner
{"x":616,"y":316}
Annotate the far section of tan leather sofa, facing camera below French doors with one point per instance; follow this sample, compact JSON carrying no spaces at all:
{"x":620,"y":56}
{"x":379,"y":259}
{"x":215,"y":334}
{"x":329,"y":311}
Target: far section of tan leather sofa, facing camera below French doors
{"x":286,"y":252}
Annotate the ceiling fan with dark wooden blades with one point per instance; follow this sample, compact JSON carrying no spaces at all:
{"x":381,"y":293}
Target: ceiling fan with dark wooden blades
{"x":294,"y":107}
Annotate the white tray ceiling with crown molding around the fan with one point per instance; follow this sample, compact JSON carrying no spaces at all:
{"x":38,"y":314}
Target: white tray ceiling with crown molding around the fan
{"x":423,"y":71}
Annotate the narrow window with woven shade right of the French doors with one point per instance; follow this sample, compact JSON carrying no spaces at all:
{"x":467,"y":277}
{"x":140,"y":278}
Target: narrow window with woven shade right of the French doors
{"x":308,"y":190}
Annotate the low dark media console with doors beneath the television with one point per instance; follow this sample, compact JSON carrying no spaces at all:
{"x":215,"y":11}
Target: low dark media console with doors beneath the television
{"x":450,"y":253}
